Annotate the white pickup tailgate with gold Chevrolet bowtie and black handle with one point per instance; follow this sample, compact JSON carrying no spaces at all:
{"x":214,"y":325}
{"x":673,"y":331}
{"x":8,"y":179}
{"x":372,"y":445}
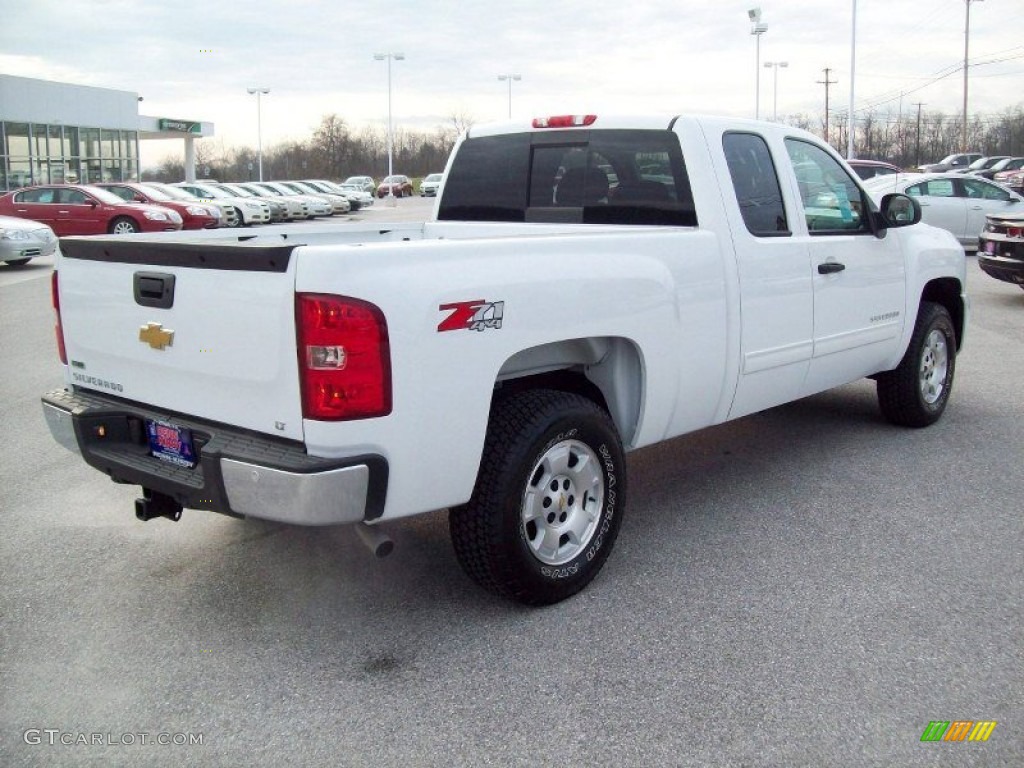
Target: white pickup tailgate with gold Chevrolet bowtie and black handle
{"x":196,"y":328}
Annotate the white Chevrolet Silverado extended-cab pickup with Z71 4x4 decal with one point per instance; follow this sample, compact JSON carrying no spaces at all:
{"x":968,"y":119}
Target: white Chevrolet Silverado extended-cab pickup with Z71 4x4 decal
{"x":587,"y":286}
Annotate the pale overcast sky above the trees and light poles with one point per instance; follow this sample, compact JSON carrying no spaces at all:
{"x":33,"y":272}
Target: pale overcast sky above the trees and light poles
{"x":194,"y":61}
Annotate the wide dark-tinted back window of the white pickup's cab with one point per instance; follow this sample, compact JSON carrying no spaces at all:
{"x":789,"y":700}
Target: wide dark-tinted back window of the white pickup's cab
{"x":590,"y":178}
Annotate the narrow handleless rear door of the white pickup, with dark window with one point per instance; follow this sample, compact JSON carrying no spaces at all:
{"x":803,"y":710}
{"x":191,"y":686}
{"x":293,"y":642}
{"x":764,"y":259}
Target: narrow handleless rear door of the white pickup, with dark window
{"x":777,"y":296}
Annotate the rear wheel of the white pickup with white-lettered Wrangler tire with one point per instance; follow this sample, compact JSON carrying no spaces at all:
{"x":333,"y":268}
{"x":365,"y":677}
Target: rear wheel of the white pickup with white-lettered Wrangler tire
{"x":548,"y":501}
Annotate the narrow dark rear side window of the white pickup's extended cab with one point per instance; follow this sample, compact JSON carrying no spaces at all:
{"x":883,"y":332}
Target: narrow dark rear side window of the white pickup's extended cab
{"x":756,"y":185}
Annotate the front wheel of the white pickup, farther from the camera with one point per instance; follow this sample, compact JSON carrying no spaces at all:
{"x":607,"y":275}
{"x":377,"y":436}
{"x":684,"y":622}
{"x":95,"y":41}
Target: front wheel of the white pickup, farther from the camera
{"x":916,"y":394}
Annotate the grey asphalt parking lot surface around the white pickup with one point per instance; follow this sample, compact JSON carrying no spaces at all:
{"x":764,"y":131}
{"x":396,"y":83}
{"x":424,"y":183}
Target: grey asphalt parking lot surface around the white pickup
{"x":804,"y":587}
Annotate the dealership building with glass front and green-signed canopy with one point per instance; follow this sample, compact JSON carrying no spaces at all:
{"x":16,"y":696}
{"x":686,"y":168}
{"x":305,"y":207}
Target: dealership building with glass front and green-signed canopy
{"x":62,"y":134}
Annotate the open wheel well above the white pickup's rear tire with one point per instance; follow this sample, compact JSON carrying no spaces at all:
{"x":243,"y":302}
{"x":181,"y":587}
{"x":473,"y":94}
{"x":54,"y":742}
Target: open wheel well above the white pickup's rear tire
{"x":606,"y":370}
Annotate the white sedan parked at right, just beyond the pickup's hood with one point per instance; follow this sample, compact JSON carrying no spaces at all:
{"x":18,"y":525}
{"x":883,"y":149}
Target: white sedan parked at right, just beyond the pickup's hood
{"x":951,"y":201}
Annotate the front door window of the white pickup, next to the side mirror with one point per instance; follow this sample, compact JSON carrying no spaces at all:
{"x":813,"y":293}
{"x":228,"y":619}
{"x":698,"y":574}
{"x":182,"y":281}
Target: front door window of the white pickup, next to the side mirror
{"x":833,"y":202}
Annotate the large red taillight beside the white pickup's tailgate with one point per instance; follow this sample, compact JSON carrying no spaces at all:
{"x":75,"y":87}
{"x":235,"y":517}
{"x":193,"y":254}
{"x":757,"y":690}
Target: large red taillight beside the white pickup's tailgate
{"x":345,"y":359}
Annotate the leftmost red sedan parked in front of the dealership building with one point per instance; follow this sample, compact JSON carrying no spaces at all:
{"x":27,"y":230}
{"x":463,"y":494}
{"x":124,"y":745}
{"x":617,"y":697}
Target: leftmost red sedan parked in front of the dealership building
{"x":83,"y":209}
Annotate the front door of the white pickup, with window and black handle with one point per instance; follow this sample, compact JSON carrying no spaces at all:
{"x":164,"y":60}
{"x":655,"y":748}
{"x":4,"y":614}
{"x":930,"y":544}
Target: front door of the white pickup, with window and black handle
{"x":860,"y":279}
